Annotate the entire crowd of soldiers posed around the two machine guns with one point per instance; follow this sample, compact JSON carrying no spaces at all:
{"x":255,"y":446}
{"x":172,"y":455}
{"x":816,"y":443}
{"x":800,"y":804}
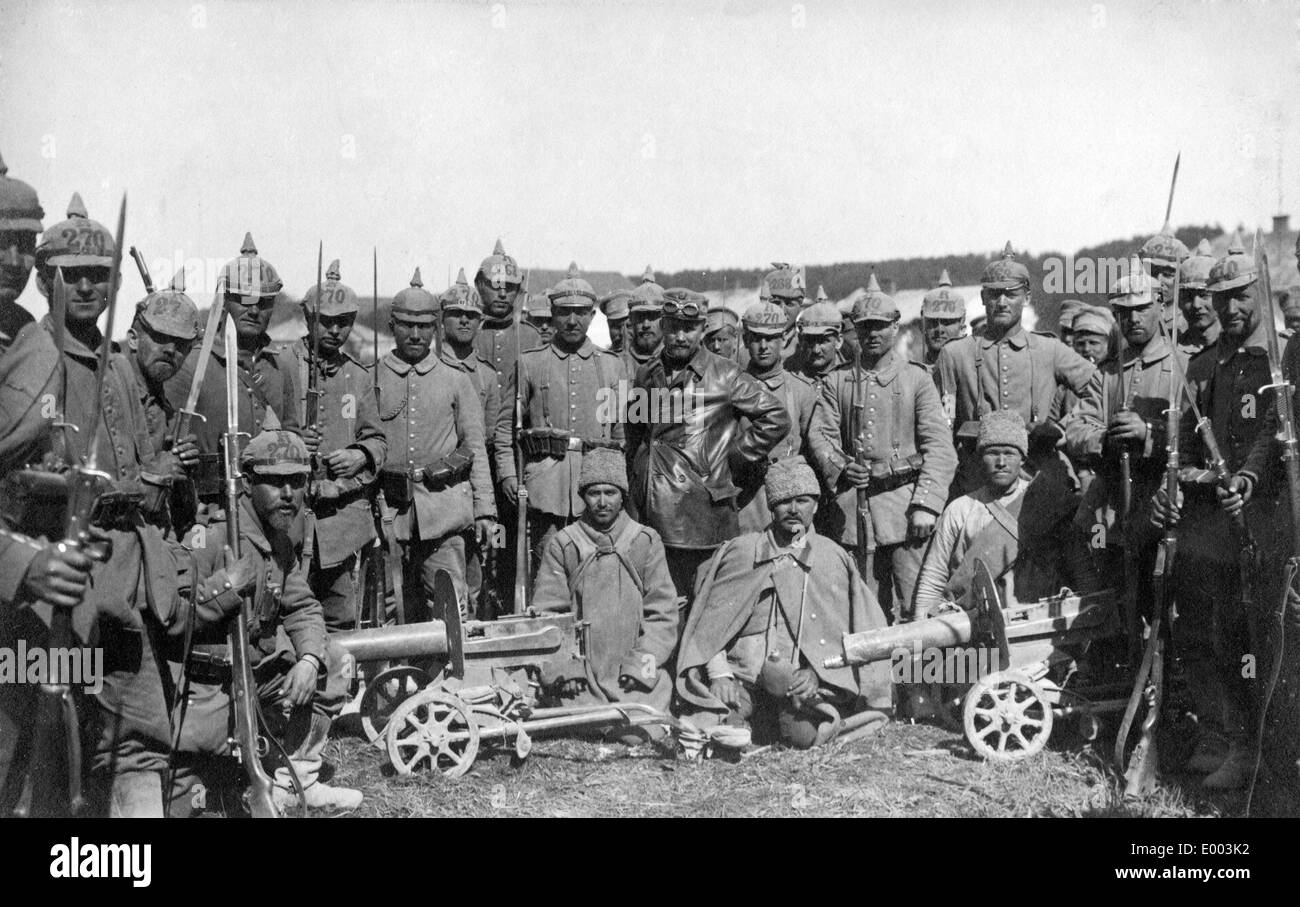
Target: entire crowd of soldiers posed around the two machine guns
{"x":805,"y":480}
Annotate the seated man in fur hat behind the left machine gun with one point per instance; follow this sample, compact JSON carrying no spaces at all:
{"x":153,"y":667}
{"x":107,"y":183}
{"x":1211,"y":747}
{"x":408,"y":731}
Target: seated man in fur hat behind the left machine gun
{"x":610,"y":571}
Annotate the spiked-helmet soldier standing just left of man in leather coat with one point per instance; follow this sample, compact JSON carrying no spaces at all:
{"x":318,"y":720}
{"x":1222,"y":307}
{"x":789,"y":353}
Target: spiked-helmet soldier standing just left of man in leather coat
{"x":570,"y":392}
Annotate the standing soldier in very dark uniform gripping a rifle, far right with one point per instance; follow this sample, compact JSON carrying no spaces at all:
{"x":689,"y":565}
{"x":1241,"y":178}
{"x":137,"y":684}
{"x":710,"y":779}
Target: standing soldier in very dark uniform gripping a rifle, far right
{"x":1214,"y":632}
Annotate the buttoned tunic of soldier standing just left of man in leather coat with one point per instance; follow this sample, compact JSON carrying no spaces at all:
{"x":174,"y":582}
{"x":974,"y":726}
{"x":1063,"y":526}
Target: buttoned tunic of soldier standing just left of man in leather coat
{"x":573,"y":392}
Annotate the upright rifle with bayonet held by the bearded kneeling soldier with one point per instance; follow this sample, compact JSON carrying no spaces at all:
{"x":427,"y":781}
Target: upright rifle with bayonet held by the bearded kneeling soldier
{"x":244,"y":689}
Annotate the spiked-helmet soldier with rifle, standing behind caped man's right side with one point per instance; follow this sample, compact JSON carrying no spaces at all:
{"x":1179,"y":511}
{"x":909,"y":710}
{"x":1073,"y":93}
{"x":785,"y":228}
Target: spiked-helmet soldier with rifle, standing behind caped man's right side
{"x":887,"y":436}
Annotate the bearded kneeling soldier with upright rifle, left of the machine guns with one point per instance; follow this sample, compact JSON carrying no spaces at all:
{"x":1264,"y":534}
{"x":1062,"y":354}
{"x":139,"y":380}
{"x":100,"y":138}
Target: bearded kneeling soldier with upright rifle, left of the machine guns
{"x":300,"y":676}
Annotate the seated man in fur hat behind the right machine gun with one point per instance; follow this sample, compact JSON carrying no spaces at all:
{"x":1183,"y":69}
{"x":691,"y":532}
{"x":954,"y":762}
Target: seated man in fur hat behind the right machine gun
{"x":1021,"y":528}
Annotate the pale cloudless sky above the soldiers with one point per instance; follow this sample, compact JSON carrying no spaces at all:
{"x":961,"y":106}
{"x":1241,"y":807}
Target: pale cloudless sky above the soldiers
{"x":622,"y":134}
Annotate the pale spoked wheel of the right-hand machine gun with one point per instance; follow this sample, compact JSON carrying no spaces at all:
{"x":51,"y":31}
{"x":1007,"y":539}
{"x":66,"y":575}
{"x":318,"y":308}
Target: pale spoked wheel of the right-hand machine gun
{"x":1007,"y":717}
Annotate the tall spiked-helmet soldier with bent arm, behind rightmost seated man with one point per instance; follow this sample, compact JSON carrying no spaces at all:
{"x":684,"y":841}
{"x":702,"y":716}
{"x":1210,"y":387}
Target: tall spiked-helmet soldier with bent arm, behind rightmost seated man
{"x":1008,"y":368}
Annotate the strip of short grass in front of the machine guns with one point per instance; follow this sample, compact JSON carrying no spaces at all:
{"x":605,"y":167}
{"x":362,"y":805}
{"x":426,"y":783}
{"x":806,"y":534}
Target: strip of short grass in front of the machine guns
{"x":907,"y":771}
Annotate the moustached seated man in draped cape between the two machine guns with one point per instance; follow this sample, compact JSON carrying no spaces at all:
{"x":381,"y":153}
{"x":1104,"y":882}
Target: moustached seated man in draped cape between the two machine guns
{"x":770,"y":610}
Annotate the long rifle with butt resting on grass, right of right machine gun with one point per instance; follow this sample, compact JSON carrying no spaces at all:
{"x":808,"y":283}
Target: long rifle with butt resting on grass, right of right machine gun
{"x":1150,"y":683}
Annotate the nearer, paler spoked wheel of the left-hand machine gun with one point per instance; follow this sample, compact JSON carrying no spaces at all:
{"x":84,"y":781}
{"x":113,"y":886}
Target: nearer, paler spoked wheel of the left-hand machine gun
{"x":436,"y":731}
